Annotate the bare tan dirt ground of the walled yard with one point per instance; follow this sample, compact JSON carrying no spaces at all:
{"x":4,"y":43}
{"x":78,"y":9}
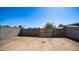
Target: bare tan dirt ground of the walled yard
{"x":38,"y":44}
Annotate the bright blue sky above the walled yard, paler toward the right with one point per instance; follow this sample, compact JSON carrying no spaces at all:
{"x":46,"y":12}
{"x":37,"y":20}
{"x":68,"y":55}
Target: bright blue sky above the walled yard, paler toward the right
{"x":38,"y":16}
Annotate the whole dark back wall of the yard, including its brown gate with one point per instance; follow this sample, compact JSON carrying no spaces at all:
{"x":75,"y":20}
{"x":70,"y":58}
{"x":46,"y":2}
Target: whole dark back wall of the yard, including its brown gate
{"x":42,"y":32}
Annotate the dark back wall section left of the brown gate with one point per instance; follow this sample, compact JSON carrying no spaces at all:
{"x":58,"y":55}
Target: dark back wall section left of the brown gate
{"x":29,"y":32}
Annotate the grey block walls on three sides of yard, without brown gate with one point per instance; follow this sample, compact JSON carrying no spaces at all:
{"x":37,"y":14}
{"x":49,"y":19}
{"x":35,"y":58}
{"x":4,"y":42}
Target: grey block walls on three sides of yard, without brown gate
{"x":8,"y":32}
